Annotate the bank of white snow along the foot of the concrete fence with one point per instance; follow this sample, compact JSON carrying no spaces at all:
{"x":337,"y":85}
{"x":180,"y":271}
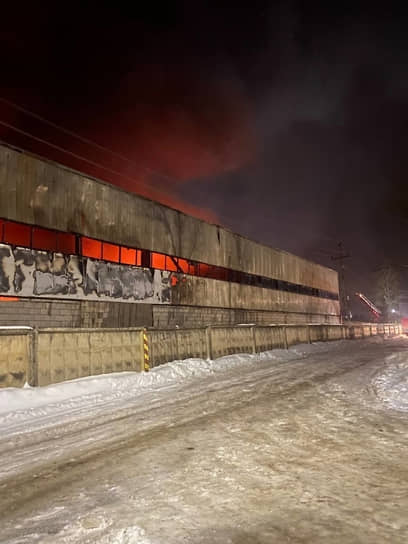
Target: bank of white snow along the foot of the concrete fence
{"x":20,"y":406}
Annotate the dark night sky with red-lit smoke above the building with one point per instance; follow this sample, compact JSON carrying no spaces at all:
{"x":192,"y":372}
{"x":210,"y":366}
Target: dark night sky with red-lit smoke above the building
{"x":286,"y":122}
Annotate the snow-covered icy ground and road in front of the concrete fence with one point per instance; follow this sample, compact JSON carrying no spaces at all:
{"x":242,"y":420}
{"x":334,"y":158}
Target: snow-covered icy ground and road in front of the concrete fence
{"x":308,"y":445}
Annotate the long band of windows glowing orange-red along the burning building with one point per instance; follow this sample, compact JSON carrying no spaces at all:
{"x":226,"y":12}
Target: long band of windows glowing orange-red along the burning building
{"x":45,"y":239}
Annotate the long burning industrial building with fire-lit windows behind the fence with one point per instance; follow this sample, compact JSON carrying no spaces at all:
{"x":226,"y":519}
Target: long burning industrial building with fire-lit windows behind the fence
{"x":77,"y":252}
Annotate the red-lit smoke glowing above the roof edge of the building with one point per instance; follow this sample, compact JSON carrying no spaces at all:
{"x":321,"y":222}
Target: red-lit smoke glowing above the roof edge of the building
{"x":165,"y":146}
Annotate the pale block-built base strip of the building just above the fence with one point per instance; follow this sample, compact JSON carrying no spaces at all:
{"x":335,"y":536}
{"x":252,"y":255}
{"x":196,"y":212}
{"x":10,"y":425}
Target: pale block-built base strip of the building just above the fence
{"x":44,"y":312}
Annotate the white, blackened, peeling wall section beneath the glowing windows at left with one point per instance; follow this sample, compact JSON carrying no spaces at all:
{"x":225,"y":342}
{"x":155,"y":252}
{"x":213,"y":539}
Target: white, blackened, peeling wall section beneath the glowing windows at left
{"x":27,"y":272}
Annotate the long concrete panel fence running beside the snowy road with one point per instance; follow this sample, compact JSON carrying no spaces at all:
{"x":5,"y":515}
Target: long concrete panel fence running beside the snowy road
{"x":53,"y":355}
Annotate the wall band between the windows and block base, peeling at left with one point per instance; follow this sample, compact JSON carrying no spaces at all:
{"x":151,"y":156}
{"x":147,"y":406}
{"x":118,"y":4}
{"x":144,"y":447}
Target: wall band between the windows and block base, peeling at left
{"x":32,"y":273}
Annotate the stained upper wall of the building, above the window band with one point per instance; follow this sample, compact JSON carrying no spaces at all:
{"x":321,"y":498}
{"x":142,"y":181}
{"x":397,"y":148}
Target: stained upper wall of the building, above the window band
{"x":42,"y":193}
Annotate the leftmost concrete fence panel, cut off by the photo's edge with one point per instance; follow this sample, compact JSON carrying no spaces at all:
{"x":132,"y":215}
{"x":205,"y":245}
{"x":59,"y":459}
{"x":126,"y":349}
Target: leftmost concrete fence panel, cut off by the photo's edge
{"x":15,"y":357}
